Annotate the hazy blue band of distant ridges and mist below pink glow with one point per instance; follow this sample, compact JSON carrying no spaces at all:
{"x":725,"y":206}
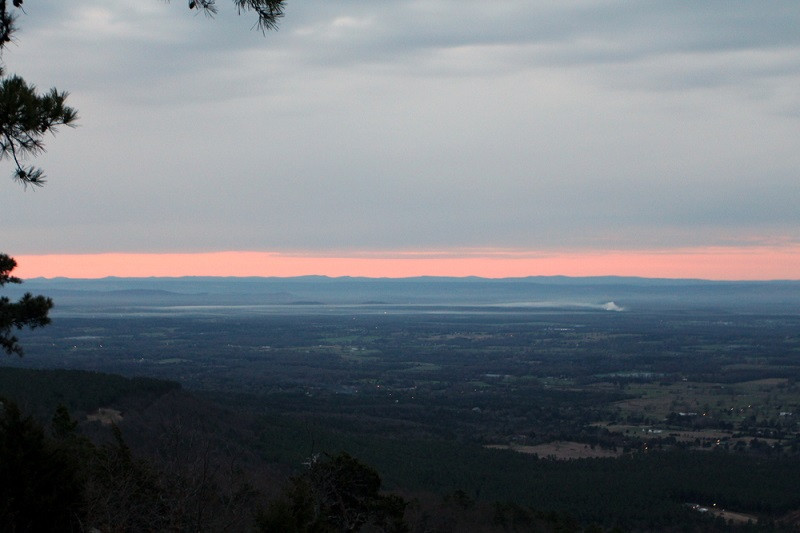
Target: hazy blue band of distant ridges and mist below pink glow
{"x":625,"y":293}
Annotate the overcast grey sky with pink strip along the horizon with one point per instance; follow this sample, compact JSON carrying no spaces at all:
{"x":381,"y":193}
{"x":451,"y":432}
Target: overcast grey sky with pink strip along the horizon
{"x":442,"y":137}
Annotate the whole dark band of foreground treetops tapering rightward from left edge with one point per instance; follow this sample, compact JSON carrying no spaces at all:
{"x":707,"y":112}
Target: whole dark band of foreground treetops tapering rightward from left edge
{"x":57,"y":480}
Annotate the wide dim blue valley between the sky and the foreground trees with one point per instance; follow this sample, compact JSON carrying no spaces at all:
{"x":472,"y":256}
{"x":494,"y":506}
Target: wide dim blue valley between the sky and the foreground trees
{"x":552,"y":400}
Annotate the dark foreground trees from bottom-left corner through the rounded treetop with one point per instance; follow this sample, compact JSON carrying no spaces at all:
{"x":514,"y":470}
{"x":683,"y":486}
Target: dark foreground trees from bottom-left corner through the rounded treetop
{"x":84,"y":485}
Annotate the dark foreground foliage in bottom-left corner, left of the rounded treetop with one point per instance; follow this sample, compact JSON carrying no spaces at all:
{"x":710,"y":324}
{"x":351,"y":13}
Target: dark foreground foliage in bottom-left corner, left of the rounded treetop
{"x":83,"y":485}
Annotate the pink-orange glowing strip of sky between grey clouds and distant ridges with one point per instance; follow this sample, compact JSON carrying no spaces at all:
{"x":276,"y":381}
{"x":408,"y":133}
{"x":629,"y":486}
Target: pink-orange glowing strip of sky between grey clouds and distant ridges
{"x":720,"y":263}
